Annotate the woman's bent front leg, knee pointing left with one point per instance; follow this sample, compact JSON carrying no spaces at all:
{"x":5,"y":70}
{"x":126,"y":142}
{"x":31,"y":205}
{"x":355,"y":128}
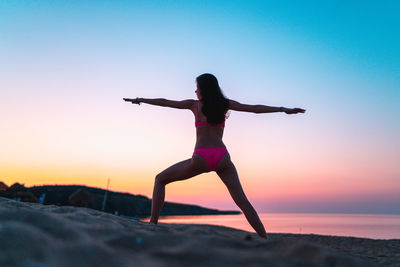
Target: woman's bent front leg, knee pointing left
{"x":179,"y":171}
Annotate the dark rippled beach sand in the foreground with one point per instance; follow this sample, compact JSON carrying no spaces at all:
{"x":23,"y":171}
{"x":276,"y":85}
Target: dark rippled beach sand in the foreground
{"x":47,"y":235}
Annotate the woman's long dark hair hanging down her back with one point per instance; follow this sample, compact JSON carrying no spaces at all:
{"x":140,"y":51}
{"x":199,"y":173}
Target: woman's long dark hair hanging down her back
{"x":215,"y":105}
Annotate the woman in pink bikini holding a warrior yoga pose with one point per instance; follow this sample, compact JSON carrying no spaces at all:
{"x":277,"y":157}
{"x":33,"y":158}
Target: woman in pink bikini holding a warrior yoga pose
{"x":210,"y":153}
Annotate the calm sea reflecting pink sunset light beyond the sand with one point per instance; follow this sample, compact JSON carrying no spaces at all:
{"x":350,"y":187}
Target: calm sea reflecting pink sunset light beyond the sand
{"x":357,"y":225}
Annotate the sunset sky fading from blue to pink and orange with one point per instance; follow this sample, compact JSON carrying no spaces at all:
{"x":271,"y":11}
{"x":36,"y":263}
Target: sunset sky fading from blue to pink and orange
{"x":66,"y":65}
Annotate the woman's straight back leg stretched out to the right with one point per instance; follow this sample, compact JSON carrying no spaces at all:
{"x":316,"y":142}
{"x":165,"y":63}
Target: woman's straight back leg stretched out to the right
{"x":229,"y":176}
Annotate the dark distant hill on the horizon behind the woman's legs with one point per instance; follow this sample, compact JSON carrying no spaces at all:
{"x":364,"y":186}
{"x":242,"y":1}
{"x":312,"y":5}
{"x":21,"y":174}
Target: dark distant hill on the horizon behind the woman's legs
{"x":124,"y":203}
